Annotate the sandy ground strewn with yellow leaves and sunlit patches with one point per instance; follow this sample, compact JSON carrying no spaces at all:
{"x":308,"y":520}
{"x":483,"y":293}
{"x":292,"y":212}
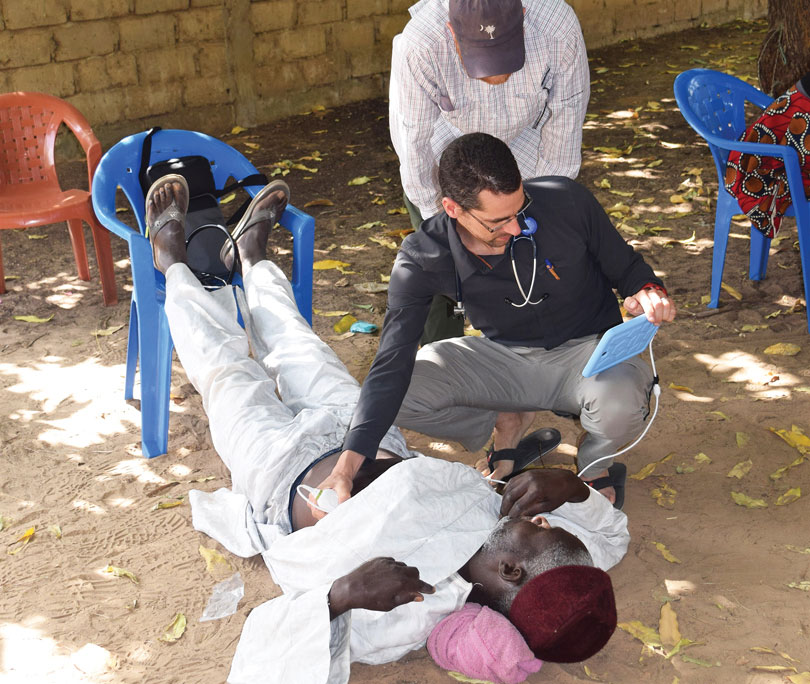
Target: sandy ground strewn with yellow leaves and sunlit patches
{"x":71,"y":468}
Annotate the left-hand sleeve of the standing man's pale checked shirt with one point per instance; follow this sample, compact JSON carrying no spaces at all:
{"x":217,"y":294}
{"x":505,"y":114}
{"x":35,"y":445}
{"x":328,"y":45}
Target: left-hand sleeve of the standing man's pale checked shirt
{"x":412,"y":115}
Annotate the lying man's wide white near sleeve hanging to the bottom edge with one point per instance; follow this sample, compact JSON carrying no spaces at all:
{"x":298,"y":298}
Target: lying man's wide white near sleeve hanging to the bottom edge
{"x":290,"y":640}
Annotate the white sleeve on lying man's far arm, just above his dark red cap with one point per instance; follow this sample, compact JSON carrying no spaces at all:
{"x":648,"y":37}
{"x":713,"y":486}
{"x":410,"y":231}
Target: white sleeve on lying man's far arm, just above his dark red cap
{"x":602,"y":528}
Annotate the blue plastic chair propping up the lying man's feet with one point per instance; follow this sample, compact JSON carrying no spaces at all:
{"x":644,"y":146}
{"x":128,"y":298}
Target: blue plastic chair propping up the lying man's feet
{"x":150,"y":343}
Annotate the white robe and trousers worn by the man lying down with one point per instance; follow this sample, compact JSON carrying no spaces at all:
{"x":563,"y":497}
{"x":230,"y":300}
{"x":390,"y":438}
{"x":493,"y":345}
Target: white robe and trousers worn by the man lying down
{"x":428,"y":513}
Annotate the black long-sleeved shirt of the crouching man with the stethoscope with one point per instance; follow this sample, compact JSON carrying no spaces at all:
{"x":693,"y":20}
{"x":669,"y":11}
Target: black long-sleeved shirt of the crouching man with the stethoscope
{"x":574,"y":240}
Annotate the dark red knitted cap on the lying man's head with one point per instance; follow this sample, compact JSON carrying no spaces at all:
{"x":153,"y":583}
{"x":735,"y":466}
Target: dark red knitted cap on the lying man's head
{"x":566,"y":614}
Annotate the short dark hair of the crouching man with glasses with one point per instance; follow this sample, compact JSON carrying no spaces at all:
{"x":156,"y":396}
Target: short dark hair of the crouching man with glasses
{"x":476,"y":162}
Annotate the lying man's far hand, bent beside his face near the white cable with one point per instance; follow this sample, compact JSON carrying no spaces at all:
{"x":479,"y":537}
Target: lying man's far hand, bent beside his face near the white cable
{"x":540,"y":491}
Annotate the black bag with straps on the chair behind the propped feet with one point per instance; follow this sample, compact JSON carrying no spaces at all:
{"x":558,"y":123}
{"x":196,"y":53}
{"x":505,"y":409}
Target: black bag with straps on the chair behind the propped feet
{"x":205,"y":224}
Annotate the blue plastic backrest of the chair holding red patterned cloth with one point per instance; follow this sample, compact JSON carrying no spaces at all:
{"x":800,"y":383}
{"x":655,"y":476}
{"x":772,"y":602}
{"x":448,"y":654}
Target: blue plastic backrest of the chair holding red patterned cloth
{"x":713,"y":103}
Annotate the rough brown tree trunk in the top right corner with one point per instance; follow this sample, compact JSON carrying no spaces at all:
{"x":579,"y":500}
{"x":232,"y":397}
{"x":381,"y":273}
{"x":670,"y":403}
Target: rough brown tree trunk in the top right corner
{"x":785,"y":53}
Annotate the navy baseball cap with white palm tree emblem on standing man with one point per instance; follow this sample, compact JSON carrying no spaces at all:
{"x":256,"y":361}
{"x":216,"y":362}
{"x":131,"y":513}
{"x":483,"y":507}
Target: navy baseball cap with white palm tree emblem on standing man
{"x":489,"y":35}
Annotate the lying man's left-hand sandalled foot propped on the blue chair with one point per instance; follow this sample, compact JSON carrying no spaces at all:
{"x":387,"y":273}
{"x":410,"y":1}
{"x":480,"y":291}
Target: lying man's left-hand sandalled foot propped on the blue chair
{"x":166,"y":232}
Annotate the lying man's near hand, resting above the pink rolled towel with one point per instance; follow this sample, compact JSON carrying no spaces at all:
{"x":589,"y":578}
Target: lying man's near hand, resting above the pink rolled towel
{"x":379,"y":584}
